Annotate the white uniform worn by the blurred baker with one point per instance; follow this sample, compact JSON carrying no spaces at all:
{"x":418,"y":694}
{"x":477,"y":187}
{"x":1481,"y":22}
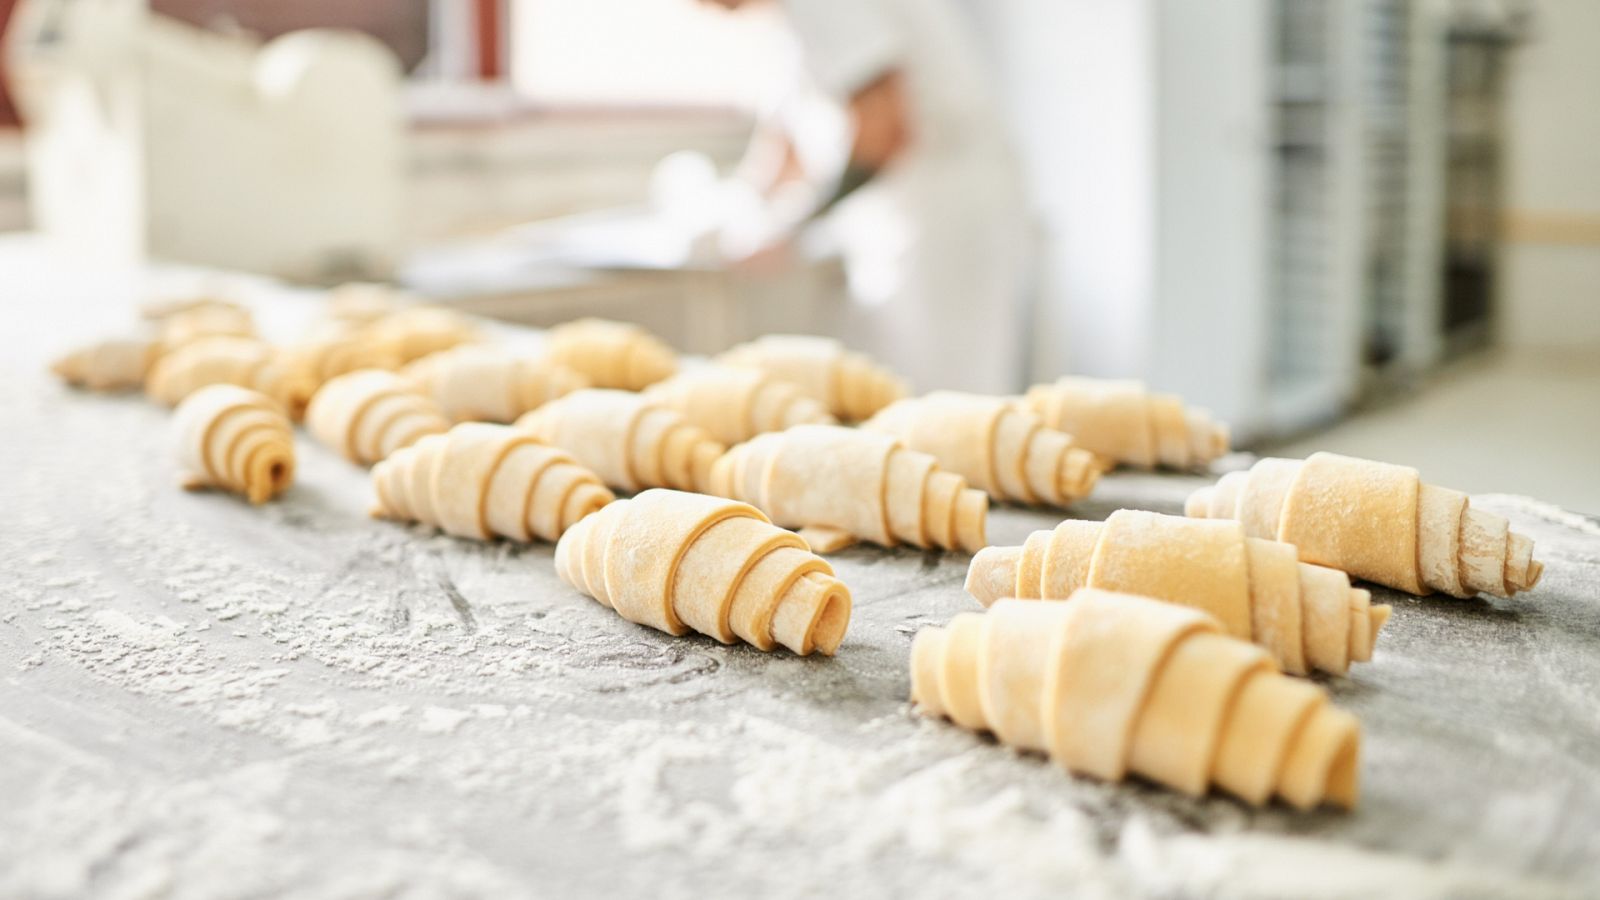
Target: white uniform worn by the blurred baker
{"x":938,"y":246}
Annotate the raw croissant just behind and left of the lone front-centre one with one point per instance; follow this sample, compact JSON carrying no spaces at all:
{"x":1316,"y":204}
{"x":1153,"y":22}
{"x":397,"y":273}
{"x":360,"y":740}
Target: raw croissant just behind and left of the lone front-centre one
{"x":479,"y":481}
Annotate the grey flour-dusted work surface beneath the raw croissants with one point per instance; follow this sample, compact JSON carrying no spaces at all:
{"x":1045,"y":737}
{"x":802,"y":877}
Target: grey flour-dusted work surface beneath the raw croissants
{"x":202,"y":699}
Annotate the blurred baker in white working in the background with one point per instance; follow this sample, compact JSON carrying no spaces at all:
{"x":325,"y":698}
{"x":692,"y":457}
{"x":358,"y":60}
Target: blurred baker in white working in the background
{"x":916,"y":185}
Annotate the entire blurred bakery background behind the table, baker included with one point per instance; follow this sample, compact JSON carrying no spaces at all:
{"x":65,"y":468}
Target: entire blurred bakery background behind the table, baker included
{"x":1369,"y":227}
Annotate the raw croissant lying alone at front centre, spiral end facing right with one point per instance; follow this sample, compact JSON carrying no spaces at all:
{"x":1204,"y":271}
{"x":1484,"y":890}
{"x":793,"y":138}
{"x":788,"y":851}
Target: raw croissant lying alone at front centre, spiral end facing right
{"x":684,"y":561}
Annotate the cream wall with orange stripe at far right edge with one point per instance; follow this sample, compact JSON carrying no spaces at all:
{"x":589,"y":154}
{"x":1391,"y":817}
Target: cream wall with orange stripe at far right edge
{"x":1550,"y":292}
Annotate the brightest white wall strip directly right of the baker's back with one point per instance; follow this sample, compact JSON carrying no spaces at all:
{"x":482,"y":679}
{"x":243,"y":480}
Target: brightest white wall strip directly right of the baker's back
{"x":1079,"y":87}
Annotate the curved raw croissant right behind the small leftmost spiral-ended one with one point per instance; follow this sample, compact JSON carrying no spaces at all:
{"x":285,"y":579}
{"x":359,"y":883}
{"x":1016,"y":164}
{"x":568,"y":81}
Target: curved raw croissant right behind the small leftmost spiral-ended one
{"x":228,"y":361}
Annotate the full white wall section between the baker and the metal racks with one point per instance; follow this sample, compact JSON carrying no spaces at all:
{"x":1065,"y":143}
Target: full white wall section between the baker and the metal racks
{"x":1143,"y":126}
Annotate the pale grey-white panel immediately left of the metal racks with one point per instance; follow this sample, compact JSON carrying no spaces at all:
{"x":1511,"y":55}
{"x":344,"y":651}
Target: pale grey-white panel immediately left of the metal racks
{"x":1210,"y":302}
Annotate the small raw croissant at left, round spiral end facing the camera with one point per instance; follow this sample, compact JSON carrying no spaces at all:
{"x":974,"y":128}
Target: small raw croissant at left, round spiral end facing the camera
{"x":234,"y":440}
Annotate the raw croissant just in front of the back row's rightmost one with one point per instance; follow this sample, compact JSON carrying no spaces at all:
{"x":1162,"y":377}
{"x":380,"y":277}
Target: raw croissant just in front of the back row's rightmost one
{"x":999,"y":449}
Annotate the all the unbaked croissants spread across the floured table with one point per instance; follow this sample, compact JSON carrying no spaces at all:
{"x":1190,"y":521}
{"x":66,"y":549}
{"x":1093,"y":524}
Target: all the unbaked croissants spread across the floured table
{"x":1172,"y":662}
